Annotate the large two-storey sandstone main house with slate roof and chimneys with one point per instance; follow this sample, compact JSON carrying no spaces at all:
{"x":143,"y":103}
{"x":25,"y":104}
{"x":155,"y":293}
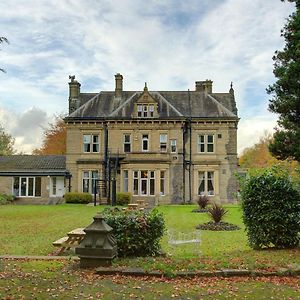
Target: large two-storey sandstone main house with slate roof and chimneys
{"x":164,"y":147}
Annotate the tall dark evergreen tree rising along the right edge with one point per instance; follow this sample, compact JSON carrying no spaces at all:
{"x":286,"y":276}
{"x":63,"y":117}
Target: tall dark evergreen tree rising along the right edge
{"x":286,"y":91}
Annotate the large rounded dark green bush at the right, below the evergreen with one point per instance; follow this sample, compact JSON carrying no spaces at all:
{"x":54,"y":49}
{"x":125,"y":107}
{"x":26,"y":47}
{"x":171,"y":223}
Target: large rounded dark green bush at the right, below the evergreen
{"x":271,"y":210}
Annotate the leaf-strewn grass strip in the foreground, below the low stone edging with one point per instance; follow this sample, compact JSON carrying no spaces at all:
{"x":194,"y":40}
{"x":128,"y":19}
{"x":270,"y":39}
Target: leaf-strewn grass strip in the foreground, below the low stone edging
{"x":62,"y":280}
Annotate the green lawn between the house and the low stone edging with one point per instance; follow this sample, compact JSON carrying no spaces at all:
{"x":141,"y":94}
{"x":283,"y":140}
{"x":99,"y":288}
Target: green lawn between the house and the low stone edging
{"x":30,"y":230}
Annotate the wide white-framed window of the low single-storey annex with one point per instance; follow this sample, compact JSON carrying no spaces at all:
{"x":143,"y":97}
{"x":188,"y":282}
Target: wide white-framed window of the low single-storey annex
{"x":27,"y":186}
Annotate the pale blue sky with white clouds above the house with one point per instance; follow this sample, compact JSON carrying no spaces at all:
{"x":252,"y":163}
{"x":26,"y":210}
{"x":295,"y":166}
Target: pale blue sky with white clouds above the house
{"x":169,"y":44}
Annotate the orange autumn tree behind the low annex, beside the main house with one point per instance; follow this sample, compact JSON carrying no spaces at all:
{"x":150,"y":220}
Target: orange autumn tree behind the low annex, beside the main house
{"x":54,"y":139}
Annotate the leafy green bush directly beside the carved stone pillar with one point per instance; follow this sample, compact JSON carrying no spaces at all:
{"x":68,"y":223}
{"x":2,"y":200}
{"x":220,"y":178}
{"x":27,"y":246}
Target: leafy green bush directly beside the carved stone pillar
{"x":138,"y":233}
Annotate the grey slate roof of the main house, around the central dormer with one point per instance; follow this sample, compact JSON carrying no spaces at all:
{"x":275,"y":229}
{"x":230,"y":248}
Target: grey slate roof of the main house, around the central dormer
{"x":171,"y":104}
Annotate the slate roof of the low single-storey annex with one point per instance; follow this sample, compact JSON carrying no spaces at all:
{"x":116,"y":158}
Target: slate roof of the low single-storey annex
{"x":32,"y":163}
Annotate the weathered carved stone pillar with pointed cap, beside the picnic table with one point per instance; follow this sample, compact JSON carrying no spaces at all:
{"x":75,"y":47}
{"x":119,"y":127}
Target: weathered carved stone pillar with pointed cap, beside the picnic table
{"x":98,"y":248}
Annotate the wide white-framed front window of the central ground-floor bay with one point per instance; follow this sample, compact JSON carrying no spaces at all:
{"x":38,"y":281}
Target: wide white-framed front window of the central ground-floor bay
{"x":144,"y":183}
